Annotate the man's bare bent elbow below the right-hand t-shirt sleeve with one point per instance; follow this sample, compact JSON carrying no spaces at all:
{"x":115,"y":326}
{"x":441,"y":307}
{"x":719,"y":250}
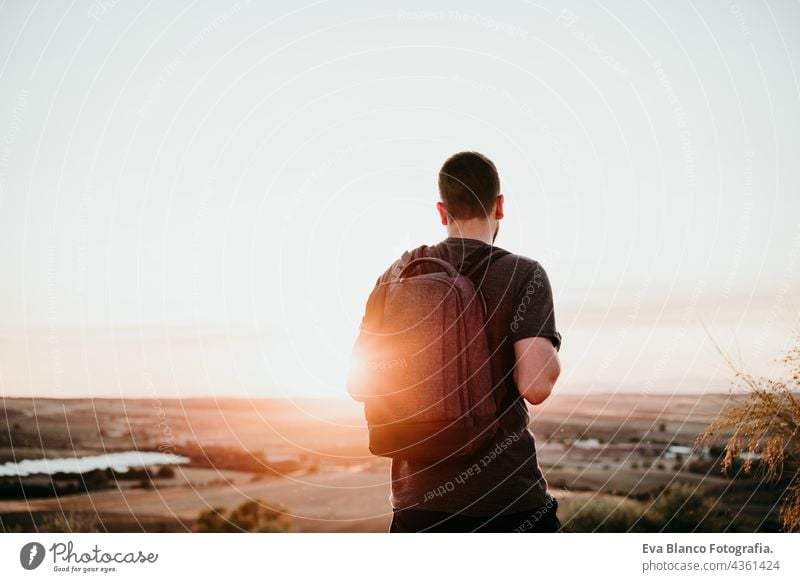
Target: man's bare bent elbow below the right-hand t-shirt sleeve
{"x":537,"y":368}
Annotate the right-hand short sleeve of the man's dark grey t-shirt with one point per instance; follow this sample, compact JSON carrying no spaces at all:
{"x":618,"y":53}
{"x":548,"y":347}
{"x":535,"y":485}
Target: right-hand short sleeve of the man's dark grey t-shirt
{"x":533,"y":313}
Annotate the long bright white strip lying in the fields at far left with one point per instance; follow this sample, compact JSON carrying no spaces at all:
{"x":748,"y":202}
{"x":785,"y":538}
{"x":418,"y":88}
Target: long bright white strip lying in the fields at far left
{"x":118,"y":461}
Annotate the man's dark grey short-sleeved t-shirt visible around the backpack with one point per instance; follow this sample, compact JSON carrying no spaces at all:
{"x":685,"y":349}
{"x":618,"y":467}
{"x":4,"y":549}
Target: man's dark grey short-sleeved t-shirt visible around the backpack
{"x":505,"y":477}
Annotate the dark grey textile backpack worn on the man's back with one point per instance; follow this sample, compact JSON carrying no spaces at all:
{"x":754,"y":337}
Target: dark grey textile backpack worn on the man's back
{"x":421,"y":362}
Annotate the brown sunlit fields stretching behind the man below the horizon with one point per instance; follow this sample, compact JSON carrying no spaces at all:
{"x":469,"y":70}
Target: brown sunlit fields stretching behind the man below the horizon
{"x":311,"y":458}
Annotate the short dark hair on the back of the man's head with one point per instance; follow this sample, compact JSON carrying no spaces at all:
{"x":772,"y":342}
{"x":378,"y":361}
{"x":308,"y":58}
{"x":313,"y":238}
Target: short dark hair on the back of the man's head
{"x":468,"y":185}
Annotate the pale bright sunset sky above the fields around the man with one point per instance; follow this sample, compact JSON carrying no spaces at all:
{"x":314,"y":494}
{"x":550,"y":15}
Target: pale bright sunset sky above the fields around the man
{"x":196,"y":198}
